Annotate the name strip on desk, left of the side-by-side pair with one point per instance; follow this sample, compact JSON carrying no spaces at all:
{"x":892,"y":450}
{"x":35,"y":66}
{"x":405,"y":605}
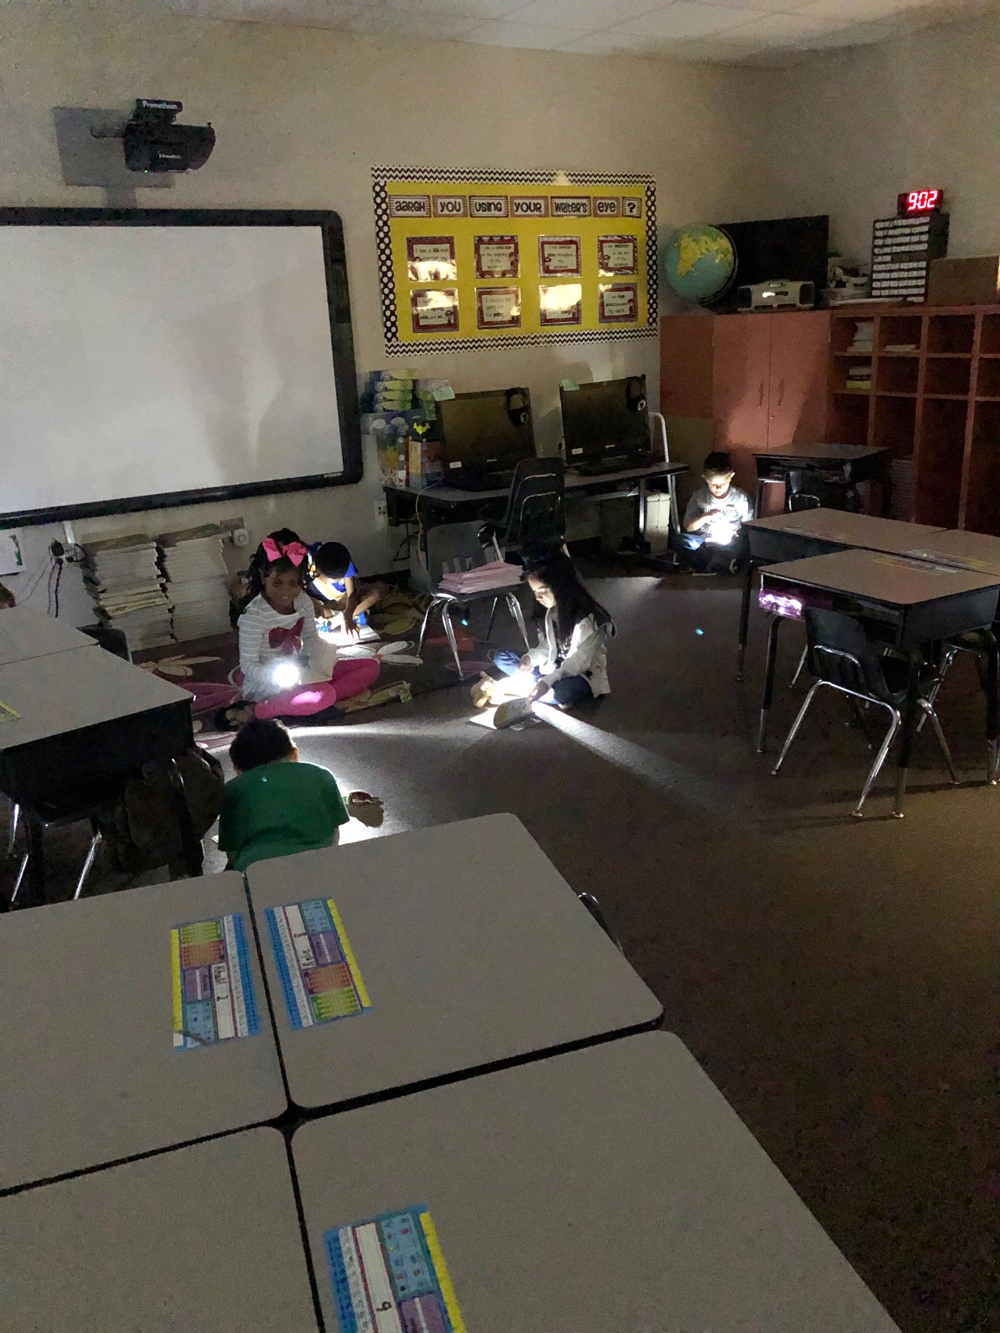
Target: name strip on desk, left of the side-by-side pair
{"x":213,"y":986}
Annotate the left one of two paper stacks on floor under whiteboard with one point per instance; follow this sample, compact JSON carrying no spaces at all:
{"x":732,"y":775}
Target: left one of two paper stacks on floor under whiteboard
{"x":125,"y":581}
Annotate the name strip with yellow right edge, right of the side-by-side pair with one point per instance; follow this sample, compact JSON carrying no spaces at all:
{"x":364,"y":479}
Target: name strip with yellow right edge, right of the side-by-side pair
{"x":319,"y":974}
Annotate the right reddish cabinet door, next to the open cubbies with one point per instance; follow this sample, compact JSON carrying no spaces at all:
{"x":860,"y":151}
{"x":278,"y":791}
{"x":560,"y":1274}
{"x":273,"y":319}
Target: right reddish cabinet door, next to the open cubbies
{"x":799,"y":390}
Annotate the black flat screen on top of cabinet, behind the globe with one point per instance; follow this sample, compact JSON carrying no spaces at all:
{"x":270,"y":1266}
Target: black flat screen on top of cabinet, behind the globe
{"x":793,"y":249}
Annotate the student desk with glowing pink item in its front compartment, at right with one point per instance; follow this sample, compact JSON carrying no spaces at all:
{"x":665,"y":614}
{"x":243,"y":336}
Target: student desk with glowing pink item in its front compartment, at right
{"x":905,"y":603}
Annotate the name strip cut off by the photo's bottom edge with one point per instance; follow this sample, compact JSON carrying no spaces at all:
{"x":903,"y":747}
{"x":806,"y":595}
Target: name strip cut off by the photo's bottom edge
{"x":390,"y":1276}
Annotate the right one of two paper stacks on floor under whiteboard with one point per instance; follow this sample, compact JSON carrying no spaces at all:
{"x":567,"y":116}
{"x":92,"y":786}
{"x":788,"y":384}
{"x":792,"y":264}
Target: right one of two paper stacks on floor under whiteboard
{"x":198,"y":582}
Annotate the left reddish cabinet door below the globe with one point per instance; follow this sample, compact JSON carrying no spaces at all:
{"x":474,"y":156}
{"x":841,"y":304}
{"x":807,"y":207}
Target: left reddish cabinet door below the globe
{"x":742,"y":381}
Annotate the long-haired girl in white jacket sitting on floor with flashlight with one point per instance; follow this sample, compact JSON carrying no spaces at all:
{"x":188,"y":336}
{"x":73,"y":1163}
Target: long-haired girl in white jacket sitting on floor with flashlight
{"x":571,"y":662}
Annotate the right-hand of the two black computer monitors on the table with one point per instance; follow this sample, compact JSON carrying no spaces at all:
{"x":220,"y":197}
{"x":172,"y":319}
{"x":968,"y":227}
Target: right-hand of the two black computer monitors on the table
{"x":605,"y":421}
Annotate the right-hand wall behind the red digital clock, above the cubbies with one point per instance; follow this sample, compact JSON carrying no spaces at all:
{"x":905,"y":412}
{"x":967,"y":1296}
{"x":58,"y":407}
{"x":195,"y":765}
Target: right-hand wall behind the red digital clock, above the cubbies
{"x":845,"y":133}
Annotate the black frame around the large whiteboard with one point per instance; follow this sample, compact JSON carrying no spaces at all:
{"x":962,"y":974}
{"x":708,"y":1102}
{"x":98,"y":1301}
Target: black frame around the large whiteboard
{"x":342,"y":342}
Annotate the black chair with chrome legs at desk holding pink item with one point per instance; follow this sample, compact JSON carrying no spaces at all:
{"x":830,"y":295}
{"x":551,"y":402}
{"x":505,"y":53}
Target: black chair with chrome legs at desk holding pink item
{"x":843,"y":658}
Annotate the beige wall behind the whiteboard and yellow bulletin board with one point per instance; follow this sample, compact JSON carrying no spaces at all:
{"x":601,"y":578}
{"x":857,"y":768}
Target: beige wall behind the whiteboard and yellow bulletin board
{"x":302,"y":117}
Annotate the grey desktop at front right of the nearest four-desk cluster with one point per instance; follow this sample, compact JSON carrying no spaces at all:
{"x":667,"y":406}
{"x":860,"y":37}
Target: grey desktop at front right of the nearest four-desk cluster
{"x":602,"y":1191}
